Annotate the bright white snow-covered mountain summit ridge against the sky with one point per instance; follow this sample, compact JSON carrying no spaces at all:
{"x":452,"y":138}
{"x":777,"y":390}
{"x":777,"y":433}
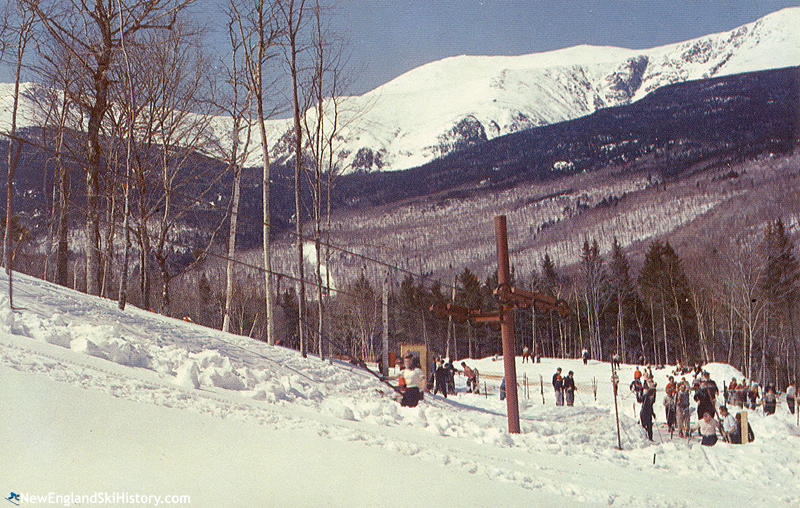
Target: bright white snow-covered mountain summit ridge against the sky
{"x":459,"y":101}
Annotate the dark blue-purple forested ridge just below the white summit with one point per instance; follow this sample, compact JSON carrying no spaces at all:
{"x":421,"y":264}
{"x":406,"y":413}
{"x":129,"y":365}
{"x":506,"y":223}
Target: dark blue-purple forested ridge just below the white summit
{"x":675,"y":131}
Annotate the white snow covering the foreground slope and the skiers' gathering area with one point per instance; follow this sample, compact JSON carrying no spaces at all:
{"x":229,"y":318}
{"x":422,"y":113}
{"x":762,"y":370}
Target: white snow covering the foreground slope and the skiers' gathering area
{"x":136,"y":408}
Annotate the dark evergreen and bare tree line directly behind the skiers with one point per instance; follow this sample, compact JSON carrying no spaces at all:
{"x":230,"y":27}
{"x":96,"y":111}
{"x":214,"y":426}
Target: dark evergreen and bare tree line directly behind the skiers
{"x":738,"y":305}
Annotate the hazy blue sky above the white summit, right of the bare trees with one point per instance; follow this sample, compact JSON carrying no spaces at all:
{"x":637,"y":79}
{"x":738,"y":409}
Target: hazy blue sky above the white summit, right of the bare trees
{"x":390,"y":37}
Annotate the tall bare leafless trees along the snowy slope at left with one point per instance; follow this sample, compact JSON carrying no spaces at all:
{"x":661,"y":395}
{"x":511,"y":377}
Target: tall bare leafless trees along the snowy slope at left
{"x":129,"y":98}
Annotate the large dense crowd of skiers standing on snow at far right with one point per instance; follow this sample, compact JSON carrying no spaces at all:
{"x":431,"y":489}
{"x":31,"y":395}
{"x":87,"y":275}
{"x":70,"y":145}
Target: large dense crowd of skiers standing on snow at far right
{"x":711,"y":419}
